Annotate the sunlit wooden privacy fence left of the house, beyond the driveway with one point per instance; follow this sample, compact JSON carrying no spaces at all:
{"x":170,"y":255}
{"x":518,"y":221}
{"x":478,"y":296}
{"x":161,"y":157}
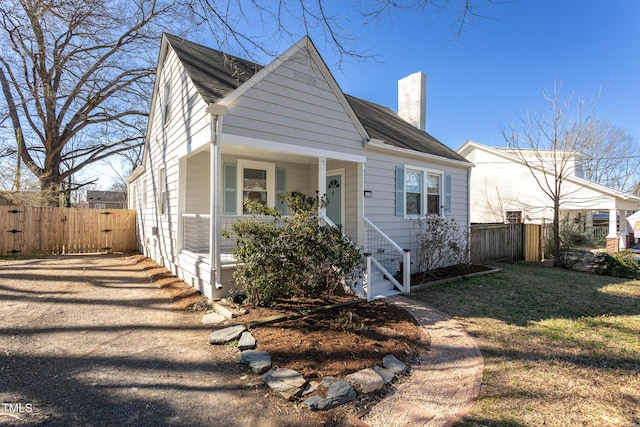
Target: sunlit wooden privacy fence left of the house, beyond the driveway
{"x":41,"y":231}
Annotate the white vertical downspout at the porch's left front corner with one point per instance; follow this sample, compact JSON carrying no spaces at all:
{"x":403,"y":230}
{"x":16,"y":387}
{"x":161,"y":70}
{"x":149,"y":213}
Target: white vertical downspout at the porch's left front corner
{"x":215,"y":206}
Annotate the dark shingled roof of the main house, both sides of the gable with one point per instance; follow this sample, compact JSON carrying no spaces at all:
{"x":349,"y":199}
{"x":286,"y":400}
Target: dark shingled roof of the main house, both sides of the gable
{"x":217,"y":74}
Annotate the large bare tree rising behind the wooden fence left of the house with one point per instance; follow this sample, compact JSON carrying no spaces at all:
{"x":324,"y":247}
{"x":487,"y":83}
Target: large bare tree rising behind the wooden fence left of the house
{"x":75,"y":77}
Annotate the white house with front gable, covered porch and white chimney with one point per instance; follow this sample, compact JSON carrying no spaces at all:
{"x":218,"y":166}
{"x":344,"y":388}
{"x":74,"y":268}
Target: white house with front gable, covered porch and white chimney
{"x":222,"y":129}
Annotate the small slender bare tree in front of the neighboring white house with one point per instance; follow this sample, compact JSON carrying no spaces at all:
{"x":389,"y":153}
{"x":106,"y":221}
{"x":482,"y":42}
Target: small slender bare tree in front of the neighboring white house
{"x":550,"y":144}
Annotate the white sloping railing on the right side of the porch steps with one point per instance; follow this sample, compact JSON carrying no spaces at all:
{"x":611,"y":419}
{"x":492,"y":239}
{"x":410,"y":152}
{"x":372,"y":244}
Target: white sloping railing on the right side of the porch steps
{"x":390,"y":259}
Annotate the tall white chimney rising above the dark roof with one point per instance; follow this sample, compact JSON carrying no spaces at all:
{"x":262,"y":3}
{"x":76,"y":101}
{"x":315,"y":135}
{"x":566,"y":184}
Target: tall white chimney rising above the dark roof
{"x":412,"y":99}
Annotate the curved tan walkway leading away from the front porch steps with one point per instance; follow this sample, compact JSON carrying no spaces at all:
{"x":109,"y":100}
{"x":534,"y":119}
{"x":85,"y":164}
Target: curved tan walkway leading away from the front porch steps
{"x":443,"y":383}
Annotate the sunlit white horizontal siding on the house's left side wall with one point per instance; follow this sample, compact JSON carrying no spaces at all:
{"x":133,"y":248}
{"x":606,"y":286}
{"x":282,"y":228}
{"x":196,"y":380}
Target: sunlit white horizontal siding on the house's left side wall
{"x":187,"y":129}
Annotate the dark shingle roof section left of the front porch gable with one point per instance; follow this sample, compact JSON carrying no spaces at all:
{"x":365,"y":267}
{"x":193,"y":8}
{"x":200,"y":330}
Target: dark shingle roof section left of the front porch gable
{"x":215,"y":74}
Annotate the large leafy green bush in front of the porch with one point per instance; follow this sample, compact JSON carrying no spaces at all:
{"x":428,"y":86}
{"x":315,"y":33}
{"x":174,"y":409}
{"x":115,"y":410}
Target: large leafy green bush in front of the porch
{"x":303,"y":259}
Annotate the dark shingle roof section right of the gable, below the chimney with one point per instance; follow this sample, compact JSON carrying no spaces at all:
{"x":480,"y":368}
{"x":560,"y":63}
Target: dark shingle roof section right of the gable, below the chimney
{"x":384,"y":124}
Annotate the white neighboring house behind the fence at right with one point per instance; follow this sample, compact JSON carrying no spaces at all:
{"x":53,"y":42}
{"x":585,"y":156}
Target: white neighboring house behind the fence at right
{"x":504,"y":189}
